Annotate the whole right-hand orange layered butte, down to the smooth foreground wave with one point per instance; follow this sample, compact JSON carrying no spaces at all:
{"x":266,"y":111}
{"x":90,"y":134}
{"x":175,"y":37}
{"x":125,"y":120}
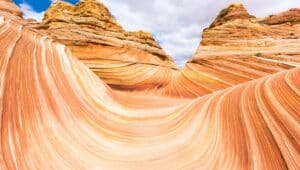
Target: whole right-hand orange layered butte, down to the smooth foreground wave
{"x":237,"y":47}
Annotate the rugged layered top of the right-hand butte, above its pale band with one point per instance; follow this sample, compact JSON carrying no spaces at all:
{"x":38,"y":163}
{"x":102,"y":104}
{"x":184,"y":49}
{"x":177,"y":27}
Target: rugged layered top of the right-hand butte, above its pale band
{"x":249,"y":31}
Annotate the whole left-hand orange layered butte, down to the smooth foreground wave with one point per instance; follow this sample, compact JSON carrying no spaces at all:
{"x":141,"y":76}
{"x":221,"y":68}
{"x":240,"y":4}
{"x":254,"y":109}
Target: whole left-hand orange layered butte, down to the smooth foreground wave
{"x":126,"y":60}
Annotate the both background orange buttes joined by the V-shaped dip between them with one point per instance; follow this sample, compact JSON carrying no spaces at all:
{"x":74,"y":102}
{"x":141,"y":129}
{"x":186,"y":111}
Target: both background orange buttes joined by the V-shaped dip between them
{"x":236,"y":48}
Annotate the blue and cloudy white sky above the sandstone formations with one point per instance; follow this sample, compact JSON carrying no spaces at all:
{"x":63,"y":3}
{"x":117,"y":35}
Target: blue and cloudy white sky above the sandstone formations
{"x":176,"y":24}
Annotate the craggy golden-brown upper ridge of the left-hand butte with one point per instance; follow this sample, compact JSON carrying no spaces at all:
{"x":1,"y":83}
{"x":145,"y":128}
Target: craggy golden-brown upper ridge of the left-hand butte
{"x":90,"y":22}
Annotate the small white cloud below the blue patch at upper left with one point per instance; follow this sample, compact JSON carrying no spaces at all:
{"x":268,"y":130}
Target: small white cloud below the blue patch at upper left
{"x":30,"y":13}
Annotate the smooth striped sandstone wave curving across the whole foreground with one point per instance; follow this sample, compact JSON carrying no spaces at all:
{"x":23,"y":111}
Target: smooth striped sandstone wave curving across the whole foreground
{"x":57,"y":114}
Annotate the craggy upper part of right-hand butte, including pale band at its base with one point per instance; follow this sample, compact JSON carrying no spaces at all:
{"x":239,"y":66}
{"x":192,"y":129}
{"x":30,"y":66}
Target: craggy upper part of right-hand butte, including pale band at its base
{"x":252,"y":35}
